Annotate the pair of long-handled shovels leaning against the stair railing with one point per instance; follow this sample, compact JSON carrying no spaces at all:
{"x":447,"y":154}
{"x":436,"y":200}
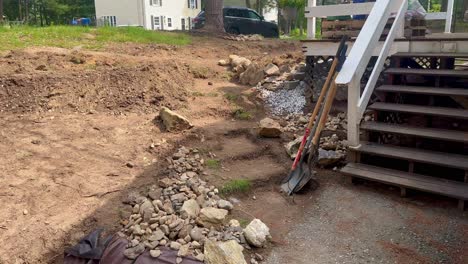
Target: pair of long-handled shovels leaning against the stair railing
{"x":300,"y":172}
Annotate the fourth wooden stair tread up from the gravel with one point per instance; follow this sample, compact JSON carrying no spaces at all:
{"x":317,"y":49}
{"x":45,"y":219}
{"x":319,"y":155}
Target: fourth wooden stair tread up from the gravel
{"x":416,"y":109}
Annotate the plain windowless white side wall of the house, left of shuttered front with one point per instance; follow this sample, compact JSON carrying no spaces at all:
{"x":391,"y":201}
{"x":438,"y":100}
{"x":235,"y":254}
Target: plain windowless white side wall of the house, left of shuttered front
{"x":126,"y":12}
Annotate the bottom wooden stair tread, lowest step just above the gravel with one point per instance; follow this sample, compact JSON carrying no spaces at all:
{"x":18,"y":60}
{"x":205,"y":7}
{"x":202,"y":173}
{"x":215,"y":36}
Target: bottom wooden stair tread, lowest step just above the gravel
{"x":448,"y":188}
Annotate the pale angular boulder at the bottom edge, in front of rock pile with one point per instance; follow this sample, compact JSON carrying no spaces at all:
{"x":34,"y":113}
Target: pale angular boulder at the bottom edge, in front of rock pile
{"x":229,"y":252}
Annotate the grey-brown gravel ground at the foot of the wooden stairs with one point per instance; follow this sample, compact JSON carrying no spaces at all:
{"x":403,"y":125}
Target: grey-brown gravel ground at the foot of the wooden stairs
{"x":370,"y":223}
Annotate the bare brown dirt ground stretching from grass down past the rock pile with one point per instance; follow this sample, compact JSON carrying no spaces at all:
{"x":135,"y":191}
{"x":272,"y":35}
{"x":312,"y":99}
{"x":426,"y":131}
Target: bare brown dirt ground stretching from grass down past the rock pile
{"x":78,"y":133}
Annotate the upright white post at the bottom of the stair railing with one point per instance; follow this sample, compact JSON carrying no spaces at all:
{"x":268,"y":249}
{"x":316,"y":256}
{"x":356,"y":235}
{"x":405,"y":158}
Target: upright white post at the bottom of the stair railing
{"x":354,"y":93}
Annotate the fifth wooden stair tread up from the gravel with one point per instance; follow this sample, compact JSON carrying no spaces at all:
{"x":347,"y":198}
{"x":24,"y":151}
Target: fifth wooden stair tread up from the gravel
{"x":423,"y":90}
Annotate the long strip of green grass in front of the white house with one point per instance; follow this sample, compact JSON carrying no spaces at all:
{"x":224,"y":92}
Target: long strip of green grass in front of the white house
{"x":87,"y":37}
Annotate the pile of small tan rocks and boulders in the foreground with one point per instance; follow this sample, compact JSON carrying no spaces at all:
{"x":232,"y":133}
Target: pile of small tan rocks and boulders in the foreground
{"x":185,"y":214}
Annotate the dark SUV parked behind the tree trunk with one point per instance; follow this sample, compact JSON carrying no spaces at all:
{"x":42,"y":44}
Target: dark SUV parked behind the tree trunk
{"x":241,"y":20}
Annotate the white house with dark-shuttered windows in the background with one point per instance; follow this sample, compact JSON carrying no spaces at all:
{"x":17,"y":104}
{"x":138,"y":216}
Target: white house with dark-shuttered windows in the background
{"x":150,"y":14}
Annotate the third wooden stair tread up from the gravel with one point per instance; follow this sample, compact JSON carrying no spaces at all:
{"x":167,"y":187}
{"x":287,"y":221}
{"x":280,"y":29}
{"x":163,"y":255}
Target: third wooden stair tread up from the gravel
{"x":434,"y":133}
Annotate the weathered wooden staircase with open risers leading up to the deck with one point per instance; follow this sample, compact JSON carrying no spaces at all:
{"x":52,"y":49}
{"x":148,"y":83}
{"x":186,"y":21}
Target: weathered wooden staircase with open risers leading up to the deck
{"x":418,"y":138}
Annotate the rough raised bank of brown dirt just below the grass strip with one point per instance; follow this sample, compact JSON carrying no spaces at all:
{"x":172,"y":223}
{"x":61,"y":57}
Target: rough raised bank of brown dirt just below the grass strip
{"x":90,"y":84}
